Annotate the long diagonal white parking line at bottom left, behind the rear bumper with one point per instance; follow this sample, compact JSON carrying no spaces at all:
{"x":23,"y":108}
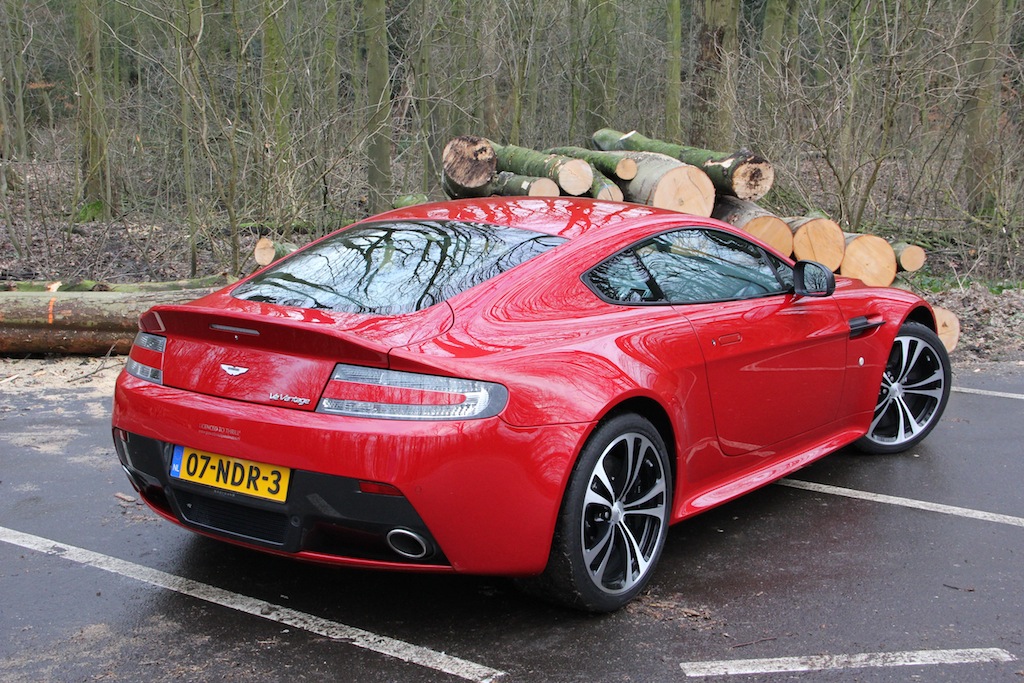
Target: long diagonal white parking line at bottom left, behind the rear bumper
{"x":358,"y":637}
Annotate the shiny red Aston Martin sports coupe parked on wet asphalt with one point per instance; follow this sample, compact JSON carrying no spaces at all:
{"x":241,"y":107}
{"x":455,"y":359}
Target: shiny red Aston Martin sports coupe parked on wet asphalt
{"x":528,"y":388}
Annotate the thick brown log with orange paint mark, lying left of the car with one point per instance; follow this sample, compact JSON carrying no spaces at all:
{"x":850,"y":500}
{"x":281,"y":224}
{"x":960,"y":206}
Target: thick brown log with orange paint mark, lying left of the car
{"x":84,"y":323}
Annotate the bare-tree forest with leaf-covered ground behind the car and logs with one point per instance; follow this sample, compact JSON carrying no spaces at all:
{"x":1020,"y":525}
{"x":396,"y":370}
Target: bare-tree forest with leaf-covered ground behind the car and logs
{"x":146,"y":140}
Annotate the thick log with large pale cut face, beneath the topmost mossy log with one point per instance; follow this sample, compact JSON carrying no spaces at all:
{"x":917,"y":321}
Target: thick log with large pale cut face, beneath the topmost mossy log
{"x":669,"y":184}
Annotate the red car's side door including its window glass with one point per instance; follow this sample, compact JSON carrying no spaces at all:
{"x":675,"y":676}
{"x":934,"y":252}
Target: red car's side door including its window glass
{"x":776,"y":363}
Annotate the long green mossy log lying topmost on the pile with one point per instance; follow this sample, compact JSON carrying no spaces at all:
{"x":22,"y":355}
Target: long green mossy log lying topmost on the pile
{"x":743,"y":175}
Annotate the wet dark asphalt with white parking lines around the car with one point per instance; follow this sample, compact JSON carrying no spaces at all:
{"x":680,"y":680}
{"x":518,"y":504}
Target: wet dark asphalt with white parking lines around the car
{"x":859,"y":569}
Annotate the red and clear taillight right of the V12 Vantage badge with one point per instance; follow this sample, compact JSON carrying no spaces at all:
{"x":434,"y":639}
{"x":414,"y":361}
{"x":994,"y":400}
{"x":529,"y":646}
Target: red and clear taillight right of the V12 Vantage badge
{"x":372,"y":393}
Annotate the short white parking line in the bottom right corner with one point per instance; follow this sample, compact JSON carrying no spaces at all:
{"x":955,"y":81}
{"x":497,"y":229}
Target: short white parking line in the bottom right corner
{"x":828,"y":662}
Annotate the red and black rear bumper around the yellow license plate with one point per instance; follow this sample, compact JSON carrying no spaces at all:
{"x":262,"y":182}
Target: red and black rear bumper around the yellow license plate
{"x":481,"y":497}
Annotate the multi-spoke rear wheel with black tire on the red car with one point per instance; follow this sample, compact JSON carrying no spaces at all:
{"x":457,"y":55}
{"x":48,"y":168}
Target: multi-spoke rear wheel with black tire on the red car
{"x":614,"y":521}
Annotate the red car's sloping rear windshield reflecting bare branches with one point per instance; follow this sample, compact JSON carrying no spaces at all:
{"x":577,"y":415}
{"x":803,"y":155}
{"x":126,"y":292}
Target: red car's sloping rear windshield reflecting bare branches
{"x":395,"y":268}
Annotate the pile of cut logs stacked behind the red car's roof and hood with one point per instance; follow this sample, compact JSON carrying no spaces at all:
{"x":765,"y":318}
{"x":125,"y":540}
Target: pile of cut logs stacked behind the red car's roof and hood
{"x":633,"y":168}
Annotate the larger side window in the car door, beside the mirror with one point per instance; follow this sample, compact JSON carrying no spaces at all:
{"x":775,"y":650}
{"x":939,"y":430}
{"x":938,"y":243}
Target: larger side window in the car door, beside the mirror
{"x":699,"y":266}
